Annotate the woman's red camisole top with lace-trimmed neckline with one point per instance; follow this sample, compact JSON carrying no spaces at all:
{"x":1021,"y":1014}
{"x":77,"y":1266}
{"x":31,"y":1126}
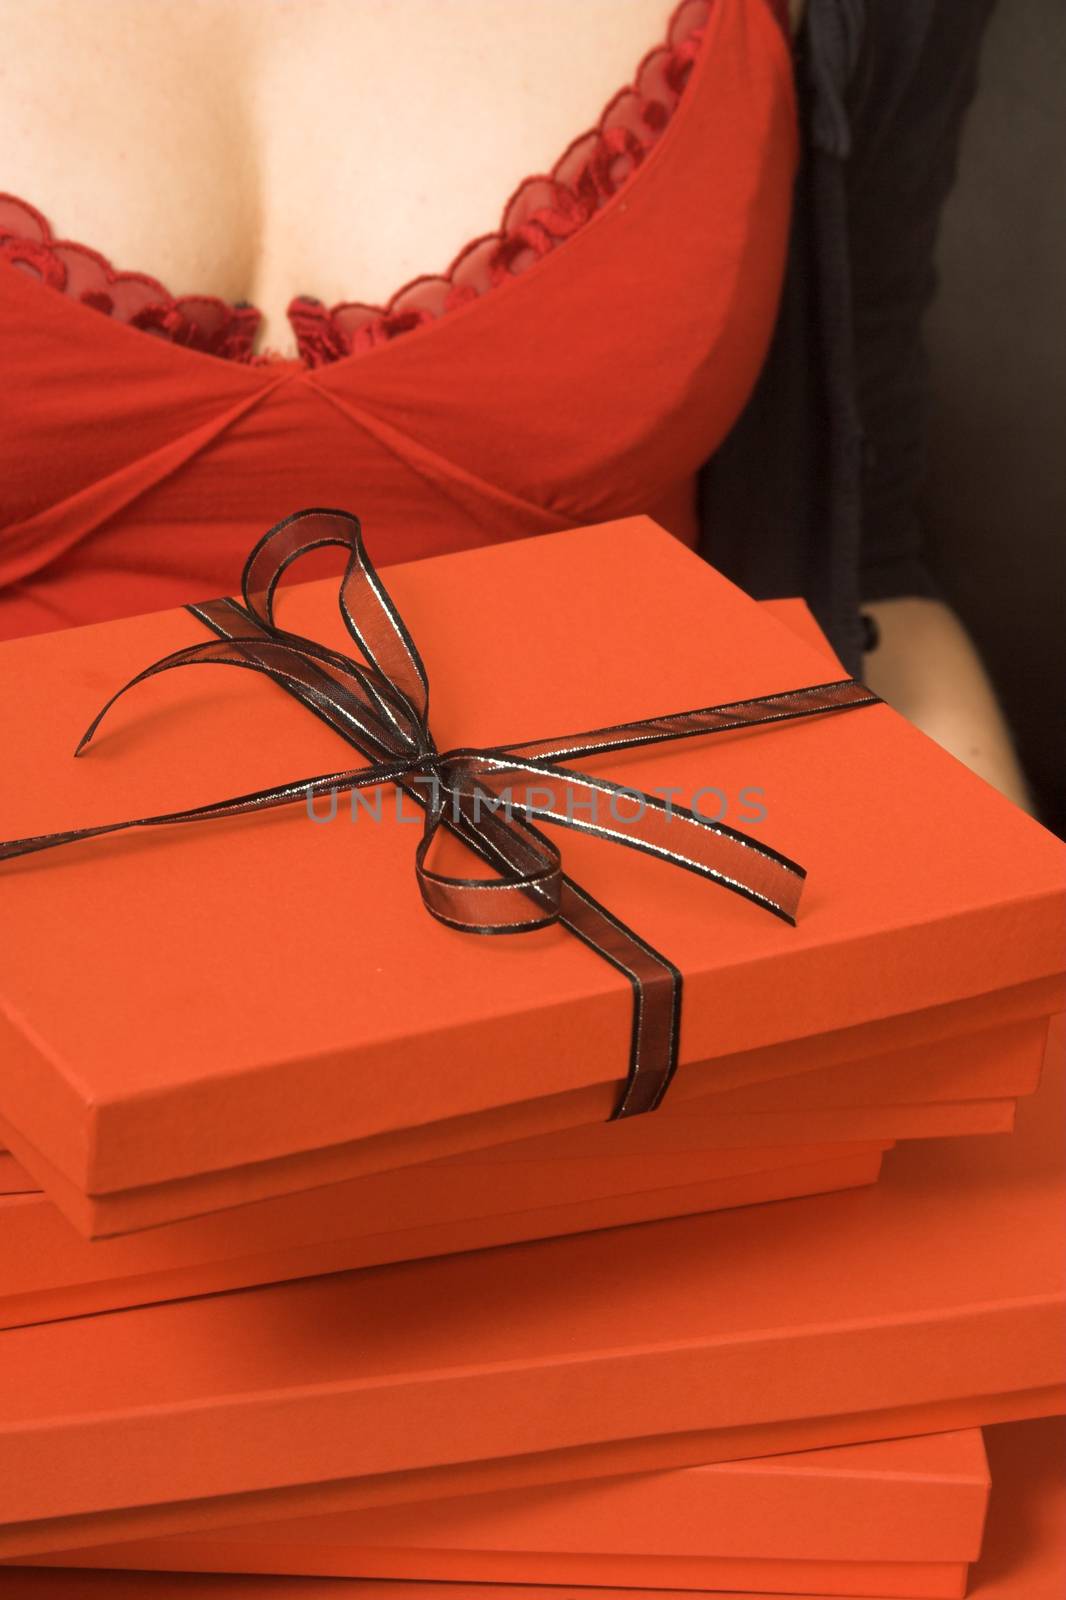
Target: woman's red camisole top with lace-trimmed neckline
{"x":577,"y":366}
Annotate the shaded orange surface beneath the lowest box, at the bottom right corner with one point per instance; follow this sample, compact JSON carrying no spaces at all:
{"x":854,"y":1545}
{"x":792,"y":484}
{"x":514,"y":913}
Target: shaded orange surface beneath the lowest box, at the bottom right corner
{"x":1024,"y":1554}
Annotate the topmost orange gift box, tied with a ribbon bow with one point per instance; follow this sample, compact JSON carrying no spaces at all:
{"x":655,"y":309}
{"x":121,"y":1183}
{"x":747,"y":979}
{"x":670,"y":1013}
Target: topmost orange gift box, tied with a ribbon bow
{"x":262,"y":1002}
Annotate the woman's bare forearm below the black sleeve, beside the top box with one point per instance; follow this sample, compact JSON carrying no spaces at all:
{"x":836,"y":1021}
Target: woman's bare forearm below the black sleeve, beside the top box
{"x":926,"y":666}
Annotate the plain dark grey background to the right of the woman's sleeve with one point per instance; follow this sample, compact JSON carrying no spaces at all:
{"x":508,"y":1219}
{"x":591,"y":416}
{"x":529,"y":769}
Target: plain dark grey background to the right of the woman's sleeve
{"x":995,"y":502}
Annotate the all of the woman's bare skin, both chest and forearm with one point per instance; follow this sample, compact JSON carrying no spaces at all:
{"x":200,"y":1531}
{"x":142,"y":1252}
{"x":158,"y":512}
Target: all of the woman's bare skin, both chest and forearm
{"x":258,"y":150}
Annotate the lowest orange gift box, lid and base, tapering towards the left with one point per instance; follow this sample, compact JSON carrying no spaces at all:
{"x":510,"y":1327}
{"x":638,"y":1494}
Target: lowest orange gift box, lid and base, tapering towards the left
{"x":897,"y":1518}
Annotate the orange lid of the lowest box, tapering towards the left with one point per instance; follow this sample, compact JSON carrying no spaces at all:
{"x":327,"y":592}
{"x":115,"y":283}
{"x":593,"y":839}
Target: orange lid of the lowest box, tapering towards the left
{"x":904,"y":1500}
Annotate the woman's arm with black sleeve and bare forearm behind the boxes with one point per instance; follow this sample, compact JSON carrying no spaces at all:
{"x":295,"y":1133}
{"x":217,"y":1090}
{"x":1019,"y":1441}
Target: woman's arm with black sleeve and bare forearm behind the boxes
{"x":910,"y":95}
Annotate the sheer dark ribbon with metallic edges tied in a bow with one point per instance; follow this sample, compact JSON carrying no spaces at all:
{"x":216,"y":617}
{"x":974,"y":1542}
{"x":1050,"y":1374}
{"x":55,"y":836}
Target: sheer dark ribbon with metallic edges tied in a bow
{"x":489,"y":798}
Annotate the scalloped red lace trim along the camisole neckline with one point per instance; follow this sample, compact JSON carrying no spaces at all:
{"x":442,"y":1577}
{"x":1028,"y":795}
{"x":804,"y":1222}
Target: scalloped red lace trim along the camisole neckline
{"x":540,"y":215}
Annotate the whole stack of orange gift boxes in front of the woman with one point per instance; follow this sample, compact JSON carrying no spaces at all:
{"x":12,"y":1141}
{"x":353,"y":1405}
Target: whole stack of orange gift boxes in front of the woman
{"x":327,"y":1262}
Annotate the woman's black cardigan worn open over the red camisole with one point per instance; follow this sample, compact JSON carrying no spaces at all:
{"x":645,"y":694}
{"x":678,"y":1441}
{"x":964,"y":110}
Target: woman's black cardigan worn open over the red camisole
{"x":814,"y":492}
